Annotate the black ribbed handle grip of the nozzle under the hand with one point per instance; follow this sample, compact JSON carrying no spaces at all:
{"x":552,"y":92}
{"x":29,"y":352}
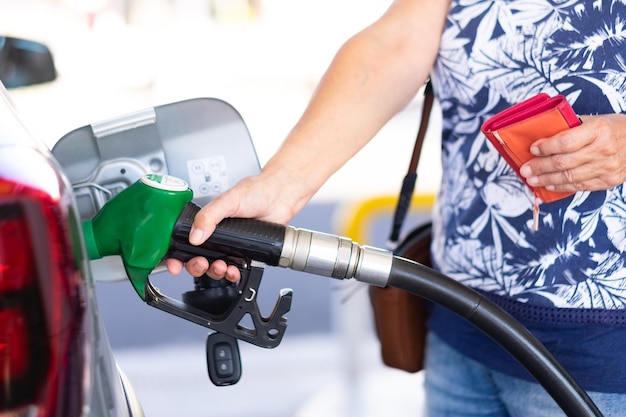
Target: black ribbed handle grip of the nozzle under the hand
{"x":243,"y":238}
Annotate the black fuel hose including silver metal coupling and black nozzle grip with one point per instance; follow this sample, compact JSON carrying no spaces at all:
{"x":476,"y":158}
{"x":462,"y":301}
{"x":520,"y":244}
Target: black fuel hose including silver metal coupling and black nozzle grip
{"x":333,"y":256}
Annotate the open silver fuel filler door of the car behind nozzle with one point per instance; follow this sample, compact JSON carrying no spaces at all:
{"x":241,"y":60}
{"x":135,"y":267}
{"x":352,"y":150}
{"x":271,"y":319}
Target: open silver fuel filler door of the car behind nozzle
{"x":203,"y":141}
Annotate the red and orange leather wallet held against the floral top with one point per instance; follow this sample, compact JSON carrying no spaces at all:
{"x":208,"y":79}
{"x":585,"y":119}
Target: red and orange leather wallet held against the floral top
{"x":513,"y":130}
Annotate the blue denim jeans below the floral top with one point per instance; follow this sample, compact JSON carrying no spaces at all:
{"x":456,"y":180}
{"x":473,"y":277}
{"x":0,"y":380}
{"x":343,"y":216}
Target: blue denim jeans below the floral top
{"x":457,"y":386}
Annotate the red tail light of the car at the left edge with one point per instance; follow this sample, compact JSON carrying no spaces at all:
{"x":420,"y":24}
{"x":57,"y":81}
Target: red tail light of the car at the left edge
{"x":41,"y":307}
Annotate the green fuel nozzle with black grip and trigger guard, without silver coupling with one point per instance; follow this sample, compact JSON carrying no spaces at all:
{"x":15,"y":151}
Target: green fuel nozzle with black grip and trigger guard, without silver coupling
{"x":150,"y":221}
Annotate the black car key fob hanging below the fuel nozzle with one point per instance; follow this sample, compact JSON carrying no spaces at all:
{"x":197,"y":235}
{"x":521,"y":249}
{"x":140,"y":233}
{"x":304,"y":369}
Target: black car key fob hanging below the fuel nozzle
{"x":223,"y":359}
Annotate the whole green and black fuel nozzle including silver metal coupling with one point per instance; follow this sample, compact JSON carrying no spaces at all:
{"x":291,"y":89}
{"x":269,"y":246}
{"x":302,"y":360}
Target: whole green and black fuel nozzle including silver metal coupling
{"x":150,"y":221}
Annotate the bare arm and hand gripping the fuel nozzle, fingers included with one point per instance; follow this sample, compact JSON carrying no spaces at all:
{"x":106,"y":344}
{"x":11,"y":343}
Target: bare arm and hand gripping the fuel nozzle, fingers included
{"x":371,"y":78}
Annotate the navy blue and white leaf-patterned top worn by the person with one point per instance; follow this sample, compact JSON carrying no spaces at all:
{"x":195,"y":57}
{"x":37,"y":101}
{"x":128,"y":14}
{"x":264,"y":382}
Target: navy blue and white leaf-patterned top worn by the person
{"x":571,"y":273}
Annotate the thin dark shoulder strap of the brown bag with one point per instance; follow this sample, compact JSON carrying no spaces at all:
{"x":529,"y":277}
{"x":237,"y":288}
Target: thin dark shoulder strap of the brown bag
{"x":408,"y":184}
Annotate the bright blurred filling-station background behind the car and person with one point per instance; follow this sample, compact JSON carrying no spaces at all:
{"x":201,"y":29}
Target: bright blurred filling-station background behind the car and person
{"x":264,"y":57}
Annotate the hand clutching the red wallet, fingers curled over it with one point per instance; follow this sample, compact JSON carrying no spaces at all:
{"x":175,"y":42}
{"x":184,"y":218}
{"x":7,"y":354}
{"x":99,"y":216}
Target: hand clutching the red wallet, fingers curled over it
{"x":589,"y":157}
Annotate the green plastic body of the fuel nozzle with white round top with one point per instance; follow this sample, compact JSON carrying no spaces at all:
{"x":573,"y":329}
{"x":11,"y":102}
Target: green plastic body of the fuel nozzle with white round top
{"x":137,"y":224}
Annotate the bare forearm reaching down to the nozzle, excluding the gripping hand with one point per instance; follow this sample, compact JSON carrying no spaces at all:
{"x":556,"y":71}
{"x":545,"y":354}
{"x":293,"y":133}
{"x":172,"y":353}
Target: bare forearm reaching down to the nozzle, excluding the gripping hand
{"x":373,"y":76}
